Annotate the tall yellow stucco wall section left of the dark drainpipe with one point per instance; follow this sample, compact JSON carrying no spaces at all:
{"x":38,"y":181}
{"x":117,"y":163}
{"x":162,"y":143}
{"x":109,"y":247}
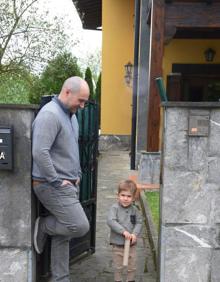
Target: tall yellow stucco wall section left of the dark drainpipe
{"x":117,"y":50}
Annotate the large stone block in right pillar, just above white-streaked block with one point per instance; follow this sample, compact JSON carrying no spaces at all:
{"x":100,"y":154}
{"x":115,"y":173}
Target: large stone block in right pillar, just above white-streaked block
{"x":186,"y":198}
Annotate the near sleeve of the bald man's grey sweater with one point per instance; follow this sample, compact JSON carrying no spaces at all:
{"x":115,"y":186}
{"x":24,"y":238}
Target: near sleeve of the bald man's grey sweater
{"x":45,"y":129}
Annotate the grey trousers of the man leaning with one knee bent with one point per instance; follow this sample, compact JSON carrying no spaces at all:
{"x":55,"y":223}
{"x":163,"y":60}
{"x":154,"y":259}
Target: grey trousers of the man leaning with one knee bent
{"x":67,"y":220}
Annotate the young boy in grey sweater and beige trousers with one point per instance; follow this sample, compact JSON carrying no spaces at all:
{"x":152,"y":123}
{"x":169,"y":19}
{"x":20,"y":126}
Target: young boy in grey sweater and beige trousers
{"x":125,"y":222}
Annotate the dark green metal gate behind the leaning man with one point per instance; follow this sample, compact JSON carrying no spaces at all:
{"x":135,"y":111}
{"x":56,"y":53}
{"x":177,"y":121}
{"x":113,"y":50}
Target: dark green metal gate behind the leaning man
{"x":88,"y":119}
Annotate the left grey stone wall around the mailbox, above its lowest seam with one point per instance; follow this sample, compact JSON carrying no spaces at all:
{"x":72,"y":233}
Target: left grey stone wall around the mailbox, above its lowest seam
{"x":15,"y":186}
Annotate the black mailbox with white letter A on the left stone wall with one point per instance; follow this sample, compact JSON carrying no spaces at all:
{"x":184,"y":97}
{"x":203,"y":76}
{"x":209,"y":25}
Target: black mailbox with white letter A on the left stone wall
{"x":6,"y":148}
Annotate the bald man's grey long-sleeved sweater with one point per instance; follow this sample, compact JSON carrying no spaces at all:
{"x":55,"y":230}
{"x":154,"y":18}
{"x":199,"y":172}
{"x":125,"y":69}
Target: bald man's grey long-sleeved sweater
{"x":55,"y":144}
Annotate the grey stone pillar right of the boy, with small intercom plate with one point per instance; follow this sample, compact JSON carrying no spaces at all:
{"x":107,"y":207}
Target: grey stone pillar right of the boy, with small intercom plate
{"x":190,"y":195}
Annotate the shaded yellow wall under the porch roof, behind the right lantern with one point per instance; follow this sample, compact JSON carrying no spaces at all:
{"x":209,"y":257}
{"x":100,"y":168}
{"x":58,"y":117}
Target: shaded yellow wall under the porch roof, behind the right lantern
{"x":188,"y":52}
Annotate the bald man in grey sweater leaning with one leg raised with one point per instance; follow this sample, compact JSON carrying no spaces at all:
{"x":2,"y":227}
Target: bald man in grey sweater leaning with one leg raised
{"x":56,"y":174}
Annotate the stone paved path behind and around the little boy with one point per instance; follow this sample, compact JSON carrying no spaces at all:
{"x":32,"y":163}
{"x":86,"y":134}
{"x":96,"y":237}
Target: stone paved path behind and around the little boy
{"x":113,"y":167}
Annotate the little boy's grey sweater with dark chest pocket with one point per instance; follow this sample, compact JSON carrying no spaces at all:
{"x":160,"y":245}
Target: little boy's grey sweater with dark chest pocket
{"x":119,"y":220}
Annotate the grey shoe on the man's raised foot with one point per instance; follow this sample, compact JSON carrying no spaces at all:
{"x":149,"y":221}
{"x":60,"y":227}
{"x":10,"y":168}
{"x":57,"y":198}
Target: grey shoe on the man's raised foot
{"x":40,"y":237}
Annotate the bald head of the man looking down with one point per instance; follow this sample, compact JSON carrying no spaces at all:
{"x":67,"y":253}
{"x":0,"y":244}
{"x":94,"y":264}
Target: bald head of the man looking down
{"x":74,"y":93}
